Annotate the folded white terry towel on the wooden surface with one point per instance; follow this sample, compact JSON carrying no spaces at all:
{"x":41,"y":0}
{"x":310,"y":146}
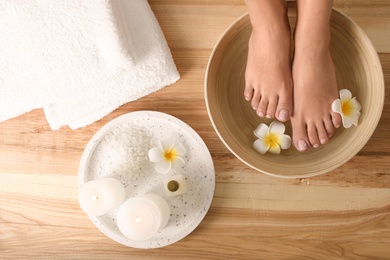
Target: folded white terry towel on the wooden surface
{"x":80,"y":60}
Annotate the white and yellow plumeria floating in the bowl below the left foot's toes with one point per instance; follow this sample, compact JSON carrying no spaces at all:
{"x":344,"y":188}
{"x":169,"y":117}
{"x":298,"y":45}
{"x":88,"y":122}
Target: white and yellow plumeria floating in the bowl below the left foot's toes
{"x":271,"y":138}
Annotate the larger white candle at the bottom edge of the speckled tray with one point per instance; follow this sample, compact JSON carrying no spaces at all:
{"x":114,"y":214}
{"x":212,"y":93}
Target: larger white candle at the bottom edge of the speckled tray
{"x":139,"y":218}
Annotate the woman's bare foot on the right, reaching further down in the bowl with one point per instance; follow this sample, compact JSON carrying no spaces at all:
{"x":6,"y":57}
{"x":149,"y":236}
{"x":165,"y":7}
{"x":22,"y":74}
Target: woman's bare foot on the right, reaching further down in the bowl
{"x":315,"y":87}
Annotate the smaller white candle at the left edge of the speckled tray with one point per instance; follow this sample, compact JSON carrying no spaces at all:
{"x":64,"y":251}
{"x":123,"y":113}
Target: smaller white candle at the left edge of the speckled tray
{"x":98,"y":197}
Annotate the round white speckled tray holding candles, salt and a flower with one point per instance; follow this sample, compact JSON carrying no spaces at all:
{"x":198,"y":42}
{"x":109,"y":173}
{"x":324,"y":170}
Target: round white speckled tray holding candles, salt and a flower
{"x":120,"y":150}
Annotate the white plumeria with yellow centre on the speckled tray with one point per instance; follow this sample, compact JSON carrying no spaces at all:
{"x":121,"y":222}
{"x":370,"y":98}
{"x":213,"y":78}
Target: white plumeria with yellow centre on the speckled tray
{"x":168,"y":155}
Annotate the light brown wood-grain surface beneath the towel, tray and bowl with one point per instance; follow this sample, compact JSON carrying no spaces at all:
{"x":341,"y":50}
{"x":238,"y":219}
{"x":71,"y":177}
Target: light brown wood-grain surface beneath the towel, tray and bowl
{"x":344,"y":214}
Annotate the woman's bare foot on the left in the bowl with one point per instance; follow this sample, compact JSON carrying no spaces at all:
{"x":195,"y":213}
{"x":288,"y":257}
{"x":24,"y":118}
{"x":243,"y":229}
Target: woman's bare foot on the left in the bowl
{"x":268,"y":80}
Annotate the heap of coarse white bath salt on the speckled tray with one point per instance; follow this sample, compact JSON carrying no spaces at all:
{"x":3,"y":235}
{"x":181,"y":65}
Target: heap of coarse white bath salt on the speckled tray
{"x":124,"y":150}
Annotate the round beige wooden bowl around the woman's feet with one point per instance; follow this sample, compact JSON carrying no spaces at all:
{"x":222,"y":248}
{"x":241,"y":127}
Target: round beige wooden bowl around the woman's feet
{"x":357,"y":68}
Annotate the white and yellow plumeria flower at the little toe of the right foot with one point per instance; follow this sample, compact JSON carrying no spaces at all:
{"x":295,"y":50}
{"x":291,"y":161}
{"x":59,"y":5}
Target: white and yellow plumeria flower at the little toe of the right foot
{"x":348,"y":107}
